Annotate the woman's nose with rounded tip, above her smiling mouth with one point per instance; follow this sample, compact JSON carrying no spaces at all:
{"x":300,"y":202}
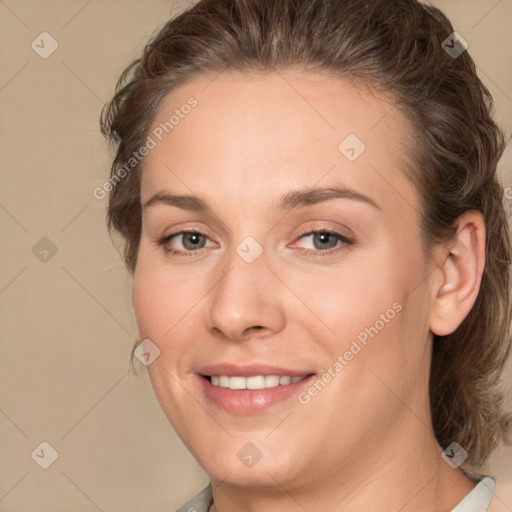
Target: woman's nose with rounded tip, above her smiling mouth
{"x":248,"y":301}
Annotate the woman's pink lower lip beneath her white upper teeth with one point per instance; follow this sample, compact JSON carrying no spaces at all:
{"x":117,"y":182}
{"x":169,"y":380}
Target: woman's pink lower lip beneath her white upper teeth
{"x":250,"y":401}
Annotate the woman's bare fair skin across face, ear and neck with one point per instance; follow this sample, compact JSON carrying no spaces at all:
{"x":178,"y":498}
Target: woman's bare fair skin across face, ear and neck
{"x":365,"y":442}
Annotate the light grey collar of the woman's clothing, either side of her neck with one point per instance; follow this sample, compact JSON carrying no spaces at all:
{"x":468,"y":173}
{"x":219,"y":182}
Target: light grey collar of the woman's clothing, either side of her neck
{"x":478,"y":500}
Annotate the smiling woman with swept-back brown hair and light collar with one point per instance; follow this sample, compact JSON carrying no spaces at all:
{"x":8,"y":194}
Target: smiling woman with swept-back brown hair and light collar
{"x":308,"y":195}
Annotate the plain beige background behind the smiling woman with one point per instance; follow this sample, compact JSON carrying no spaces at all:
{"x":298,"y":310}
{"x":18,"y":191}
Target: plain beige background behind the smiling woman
{"x":67,"y":326}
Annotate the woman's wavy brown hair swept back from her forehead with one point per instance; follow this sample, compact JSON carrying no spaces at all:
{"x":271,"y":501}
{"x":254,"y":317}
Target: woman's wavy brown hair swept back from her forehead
{"x":391,"y":47}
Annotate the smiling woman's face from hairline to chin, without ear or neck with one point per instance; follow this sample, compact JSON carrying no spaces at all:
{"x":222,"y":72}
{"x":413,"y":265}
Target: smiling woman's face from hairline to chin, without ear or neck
{"x":296,"y":253}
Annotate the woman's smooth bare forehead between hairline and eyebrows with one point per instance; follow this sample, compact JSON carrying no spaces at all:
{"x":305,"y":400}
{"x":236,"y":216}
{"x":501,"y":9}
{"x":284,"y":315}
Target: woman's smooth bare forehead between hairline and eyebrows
{"x":249,"y":134}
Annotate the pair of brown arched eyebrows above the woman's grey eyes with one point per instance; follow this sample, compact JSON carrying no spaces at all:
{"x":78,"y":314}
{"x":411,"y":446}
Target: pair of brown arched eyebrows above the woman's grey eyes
{"x":289,"y":201}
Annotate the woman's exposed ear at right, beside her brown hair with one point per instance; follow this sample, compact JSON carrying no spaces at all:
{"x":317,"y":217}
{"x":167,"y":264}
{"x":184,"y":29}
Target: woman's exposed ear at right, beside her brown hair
{"x":458,"y":276}
